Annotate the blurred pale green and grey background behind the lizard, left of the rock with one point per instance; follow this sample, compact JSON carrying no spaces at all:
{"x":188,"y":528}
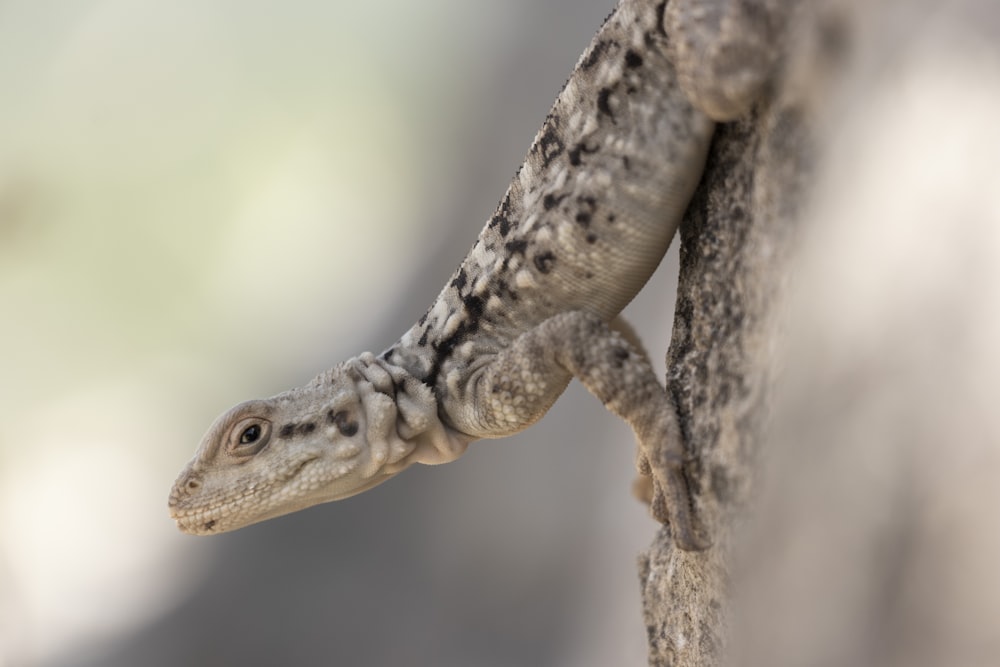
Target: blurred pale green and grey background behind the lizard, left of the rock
{"x":202,"y":203}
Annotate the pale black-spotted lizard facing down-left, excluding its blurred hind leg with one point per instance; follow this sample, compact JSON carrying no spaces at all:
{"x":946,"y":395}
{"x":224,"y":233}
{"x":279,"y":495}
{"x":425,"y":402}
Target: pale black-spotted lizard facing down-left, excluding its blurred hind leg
{"x":582,"y":226}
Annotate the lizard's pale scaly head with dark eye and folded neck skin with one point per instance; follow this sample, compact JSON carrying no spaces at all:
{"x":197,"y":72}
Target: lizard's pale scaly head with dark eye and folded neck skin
{"x":347,"y":431}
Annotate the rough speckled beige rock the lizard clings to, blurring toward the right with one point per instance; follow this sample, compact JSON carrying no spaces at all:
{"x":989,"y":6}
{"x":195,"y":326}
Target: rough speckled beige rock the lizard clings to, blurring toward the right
{"x":841,"y":262}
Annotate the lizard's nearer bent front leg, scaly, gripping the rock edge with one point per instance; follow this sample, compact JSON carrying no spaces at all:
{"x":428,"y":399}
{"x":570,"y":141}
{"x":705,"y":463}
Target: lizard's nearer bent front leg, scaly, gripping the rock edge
{"x":515,"y":387}
